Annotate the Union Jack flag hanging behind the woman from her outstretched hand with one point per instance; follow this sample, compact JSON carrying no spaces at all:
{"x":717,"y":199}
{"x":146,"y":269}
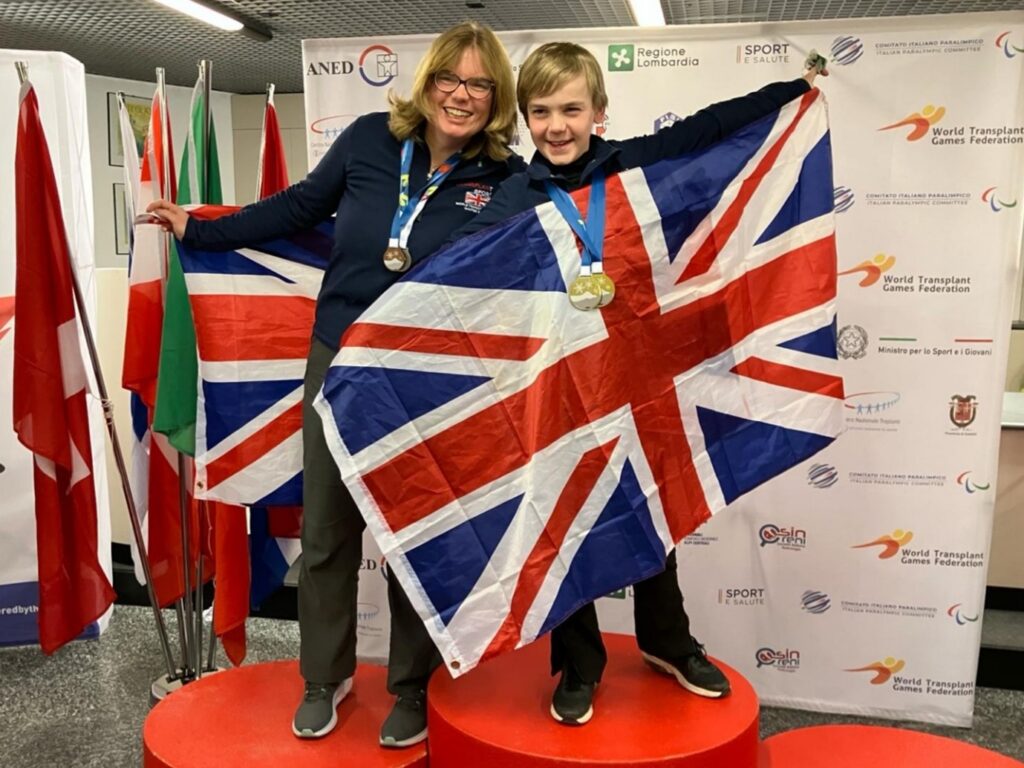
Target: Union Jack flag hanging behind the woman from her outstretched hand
{"x":253,"y":311}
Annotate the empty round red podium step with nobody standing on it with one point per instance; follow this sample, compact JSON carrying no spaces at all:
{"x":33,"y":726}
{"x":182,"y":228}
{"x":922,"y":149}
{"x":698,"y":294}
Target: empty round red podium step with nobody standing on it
{"x":863,"y":746}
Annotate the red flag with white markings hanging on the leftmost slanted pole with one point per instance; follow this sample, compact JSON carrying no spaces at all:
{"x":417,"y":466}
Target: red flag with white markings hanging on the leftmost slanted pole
{"x":51,"y":415}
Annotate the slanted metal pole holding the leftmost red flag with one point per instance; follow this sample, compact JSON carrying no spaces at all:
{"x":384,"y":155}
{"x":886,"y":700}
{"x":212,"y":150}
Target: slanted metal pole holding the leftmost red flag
{"x":23,"y":75}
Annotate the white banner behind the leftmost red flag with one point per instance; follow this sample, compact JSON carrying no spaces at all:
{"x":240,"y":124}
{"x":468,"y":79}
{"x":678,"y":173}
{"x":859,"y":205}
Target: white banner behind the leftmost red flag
{"x":60,"y":84}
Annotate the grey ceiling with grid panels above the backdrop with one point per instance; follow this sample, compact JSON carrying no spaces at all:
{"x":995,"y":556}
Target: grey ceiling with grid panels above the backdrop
{"x":131,"y":38}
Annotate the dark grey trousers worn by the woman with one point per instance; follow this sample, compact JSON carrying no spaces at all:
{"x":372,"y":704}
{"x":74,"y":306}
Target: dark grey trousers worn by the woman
{"x":332,"y":552}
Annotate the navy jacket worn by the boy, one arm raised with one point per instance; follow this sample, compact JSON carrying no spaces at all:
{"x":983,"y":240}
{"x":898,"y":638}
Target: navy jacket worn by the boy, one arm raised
{"x":700,"y":131}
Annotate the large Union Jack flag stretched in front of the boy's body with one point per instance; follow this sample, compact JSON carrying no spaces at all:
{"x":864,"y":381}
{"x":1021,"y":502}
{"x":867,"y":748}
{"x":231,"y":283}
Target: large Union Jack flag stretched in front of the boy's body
{"x":517,"y":458}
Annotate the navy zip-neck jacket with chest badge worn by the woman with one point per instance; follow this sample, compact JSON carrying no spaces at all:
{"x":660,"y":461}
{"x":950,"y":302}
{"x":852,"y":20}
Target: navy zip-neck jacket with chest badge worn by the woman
{"x":358,"y":180}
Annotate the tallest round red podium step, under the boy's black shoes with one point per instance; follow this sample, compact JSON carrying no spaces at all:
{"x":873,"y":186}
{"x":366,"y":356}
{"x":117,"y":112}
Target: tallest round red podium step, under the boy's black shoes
{"x":498,"y":716}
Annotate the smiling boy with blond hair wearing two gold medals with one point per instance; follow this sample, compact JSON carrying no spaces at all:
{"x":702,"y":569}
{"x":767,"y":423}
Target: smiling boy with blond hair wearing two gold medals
{"x":562,"y":95}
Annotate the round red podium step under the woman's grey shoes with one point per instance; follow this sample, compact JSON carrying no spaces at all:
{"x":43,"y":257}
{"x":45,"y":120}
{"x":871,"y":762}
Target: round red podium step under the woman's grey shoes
{"x":243,"y":717}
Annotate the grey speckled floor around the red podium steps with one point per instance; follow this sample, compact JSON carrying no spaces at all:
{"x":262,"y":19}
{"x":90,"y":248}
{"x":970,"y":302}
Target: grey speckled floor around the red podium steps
{"x":84,"y":708}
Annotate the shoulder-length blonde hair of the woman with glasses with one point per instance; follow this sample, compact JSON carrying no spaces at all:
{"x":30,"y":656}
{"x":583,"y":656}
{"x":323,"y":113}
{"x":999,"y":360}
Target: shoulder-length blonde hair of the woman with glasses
{"x":408,"y":115}
